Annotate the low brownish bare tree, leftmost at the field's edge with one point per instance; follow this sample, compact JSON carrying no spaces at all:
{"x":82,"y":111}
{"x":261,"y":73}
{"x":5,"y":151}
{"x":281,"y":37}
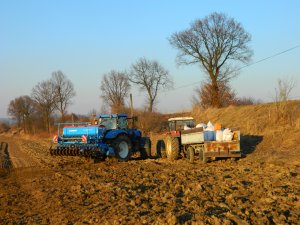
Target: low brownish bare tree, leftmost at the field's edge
{"x":22,"y":109}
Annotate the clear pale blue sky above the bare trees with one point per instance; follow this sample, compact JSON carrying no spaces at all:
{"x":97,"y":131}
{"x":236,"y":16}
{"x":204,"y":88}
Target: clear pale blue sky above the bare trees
{"x":86,"y":39}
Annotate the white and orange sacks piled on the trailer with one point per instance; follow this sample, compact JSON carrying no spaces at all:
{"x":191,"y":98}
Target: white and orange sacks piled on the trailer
{"x":215,"y":132}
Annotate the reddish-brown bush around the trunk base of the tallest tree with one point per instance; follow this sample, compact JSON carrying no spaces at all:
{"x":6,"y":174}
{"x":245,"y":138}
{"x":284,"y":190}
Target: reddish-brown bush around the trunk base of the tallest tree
{"x":204,"y":97}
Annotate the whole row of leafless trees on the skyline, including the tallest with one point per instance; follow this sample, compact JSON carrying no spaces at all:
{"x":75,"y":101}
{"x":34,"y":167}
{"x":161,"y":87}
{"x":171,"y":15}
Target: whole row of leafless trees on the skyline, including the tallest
{"x":217,"y":43}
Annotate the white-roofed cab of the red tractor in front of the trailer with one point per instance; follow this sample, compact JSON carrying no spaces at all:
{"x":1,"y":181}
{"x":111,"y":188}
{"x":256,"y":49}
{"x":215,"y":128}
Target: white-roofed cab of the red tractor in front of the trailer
{"x":178,"y":124}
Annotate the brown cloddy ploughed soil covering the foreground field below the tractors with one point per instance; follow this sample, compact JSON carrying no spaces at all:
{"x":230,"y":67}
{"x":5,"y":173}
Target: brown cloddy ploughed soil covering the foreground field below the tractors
{"x":36,"y":188}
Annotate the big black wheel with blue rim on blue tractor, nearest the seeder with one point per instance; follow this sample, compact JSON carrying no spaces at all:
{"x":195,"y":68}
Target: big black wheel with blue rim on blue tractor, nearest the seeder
{"x":122,"y":146}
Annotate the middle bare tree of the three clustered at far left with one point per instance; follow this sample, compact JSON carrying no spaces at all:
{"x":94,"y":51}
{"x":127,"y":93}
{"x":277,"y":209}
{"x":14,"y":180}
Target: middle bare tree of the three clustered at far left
{"x":44,"y":94}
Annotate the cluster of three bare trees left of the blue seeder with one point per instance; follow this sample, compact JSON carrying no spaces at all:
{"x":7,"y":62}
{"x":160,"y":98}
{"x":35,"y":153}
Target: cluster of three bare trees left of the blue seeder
{"x":35,"y":111}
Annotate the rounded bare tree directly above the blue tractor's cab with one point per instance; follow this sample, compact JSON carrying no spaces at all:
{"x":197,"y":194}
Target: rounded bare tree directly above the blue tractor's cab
{"x":114,"y":88}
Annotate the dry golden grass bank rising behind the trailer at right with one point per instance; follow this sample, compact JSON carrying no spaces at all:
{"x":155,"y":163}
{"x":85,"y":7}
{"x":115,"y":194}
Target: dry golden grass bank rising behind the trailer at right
{"x":263,"y":127}
